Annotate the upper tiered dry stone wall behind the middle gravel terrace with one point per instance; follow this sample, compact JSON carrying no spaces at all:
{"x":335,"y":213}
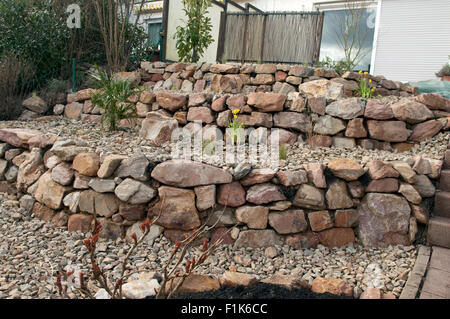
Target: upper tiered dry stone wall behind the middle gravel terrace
{"x":313,"y":105}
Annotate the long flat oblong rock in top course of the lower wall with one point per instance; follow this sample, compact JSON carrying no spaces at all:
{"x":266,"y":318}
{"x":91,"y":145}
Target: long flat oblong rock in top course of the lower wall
{"x":184,"y":173}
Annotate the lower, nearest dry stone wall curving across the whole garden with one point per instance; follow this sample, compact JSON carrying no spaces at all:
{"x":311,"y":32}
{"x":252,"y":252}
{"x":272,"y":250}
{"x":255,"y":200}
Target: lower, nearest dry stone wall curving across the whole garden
{"x":64,"y":182}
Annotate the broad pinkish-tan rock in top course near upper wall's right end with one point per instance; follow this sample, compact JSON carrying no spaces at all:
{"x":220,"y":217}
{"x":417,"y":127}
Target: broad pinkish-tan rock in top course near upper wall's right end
{"x":411,"y":112}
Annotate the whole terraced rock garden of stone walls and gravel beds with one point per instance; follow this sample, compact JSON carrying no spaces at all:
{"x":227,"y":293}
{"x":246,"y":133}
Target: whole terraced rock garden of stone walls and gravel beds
{"x":342,"y":212}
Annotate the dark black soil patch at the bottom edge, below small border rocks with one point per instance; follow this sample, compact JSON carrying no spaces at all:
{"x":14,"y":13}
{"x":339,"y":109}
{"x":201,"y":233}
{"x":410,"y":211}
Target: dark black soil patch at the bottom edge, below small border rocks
{"x":259,"y":291}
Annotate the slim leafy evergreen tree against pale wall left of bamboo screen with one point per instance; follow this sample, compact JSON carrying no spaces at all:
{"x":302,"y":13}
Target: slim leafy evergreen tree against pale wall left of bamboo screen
{"x":195,"y":37}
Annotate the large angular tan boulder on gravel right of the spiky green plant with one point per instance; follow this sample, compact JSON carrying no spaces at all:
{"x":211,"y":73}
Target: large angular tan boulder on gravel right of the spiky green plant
{"x":158,"y":128}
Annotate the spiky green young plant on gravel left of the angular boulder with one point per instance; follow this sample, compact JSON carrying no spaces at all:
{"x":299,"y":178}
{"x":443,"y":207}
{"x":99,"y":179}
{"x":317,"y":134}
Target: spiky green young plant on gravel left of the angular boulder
{"x":113,"y":97}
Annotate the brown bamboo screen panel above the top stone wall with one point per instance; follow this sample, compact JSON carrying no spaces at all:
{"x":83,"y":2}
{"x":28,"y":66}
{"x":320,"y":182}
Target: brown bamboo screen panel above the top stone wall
{"x":275,"y":37}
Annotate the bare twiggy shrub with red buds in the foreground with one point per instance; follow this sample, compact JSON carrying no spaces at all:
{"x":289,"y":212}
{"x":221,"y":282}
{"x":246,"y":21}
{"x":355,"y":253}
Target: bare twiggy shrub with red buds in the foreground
{"x":174,"y":272}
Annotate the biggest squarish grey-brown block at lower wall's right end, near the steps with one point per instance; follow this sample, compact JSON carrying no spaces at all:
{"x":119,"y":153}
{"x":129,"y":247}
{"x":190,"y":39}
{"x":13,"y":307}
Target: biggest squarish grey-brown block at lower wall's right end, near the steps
{"x":383,"y":220}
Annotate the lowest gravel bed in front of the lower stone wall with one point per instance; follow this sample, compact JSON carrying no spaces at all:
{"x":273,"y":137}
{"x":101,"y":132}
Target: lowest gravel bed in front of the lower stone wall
{"x":31,"y":253}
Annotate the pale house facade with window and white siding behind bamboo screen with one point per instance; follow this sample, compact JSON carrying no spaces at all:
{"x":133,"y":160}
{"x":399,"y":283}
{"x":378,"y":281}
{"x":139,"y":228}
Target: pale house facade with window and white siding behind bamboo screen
{"x":404,"y":40}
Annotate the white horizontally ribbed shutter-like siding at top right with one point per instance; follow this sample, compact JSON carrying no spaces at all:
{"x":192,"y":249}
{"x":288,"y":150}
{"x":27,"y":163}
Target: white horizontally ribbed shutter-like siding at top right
{"x":413,"y":40}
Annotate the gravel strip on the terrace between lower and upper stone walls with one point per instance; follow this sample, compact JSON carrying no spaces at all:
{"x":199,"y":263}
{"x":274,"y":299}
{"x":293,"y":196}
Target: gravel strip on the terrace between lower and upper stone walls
{"x":128,"y":142}
